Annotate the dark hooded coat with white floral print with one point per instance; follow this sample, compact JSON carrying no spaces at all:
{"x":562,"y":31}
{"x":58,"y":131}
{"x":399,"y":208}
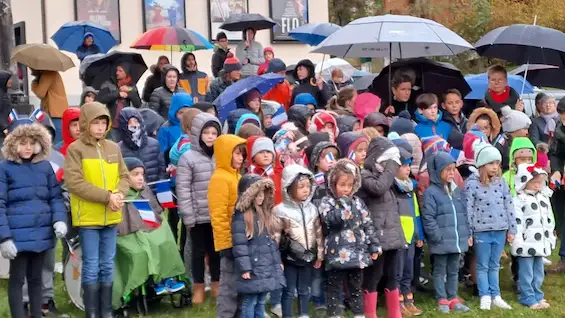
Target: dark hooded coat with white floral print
{"x":351,"y":236}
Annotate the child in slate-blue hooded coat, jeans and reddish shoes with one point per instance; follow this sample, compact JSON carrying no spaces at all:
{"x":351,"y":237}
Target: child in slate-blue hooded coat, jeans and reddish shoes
{"x":447,"y":231}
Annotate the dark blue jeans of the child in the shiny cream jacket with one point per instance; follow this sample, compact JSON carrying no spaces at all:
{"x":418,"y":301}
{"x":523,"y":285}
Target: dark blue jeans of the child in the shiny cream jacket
{"x":298,"y":278}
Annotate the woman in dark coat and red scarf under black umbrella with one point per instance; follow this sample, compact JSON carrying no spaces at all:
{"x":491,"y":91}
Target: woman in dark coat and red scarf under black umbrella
{"x":116,"y":93}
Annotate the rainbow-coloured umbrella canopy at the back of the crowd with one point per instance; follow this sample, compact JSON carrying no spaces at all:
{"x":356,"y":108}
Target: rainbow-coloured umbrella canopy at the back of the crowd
{"x":172,"y":39}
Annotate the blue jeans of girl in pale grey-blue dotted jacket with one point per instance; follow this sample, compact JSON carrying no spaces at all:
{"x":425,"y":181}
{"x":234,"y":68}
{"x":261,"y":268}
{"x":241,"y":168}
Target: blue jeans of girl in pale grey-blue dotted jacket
{"x":488,"y":250}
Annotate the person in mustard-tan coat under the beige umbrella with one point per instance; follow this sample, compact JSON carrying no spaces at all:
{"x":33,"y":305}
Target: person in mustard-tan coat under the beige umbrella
{"x":48,"y":86}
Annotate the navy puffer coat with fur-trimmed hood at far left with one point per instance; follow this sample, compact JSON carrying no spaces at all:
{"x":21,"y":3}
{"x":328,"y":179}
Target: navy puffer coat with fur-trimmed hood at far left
{"x":30,"y":196}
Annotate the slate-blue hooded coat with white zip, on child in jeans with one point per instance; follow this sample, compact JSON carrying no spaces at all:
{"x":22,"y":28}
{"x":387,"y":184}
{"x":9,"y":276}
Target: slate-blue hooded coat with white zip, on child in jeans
{"x":444,"y":217}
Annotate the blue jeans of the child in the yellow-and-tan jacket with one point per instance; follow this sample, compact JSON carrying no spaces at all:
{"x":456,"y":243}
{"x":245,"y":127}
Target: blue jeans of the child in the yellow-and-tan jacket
{"x":98,"y":252}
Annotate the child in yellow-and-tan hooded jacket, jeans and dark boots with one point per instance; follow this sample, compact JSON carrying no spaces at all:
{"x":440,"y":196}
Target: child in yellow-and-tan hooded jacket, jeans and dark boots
{"x":97,"y":179}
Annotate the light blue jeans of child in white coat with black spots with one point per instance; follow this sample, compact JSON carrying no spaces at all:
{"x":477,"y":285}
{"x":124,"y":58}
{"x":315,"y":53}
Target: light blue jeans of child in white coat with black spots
{"x":531,"y":274}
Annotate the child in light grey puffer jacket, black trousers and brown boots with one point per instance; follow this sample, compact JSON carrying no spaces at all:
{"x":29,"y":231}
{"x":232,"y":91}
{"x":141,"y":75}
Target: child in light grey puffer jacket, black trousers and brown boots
{"x":195,"y":168}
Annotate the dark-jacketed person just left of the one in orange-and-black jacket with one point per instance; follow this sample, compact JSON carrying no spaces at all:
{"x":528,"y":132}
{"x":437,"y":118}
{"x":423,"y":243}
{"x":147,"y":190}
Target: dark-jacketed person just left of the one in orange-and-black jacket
{"x":160,"y":99}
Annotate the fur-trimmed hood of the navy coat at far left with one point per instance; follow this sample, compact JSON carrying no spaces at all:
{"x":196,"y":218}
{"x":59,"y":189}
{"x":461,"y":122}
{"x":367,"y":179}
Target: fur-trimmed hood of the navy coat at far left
{"x":34,"y":131}
